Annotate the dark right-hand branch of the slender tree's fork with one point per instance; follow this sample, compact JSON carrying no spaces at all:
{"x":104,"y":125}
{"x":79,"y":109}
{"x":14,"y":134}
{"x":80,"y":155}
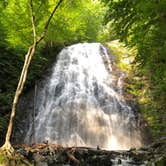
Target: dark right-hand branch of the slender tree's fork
{"x":48,"y":21}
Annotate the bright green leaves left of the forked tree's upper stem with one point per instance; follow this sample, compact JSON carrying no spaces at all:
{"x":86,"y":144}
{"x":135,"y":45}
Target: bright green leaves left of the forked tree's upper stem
{"x":17,"y":23}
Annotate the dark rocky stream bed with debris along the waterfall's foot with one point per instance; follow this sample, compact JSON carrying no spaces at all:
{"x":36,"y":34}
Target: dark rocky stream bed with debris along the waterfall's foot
{"x":55,"y":155}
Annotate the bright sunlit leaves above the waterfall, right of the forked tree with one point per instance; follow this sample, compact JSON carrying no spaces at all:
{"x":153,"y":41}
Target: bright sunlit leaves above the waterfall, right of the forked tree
{"x":77,"y":22}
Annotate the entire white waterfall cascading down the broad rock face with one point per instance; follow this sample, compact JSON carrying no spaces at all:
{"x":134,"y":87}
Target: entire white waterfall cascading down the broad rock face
{"x":80,"y":105}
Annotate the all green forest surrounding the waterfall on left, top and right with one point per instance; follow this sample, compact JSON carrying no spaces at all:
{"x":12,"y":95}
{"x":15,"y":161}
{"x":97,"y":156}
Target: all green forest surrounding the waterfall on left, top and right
{"x":136,"y":26}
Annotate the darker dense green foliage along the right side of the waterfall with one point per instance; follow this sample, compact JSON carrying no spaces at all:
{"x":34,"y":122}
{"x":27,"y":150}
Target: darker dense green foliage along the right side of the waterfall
{"x":141,"y":25}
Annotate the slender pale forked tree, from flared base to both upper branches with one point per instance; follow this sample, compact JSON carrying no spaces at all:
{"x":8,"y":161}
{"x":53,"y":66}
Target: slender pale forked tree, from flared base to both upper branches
{"x":27,"y":61}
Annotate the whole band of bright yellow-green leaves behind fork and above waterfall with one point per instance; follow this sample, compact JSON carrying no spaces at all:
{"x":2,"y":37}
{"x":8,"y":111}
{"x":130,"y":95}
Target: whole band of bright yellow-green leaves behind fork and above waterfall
{"x":74,"y":21}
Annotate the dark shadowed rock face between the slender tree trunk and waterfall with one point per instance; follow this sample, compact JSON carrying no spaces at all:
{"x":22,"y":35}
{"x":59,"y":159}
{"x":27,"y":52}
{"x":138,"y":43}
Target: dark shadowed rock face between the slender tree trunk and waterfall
{"x":26,"y":113}
